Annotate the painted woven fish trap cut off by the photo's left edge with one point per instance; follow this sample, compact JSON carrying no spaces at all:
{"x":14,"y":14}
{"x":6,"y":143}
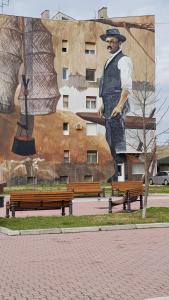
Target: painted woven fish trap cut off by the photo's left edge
{"x":10,"y":60}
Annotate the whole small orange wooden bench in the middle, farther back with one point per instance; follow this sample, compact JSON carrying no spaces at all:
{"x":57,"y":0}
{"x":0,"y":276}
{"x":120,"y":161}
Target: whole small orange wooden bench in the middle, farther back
{"x":86,"y":188}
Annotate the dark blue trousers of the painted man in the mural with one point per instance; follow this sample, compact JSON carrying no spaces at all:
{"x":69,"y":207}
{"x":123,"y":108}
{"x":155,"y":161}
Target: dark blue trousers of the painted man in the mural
{"x":115,"y":127}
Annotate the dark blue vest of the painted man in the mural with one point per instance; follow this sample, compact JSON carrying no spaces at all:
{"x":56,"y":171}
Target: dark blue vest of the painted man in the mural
{"x":110,"y":81}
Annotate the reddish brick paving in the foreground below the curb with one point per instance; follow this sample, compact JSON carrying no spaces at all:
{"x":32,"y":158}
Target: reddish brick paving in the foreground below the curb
{"x":116,"y":265}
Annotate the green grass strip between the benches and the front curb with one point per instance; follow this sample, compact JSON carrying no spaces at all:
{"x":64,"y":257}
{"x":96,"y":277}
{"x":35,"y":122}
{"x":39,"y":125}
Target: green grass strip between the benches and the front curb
{"x":154,"y":215}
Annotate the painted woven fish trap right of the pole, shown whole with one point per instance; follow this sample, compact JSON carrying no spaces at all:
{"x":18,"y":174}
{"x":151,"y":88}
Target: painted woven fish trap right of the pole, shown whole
{"x":38,"y":57}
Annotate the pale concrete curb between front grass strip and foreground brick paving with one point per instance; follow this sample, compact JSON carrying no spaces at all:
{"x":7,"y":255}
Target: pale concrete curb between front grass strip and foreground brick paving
{"x":10,"y":232}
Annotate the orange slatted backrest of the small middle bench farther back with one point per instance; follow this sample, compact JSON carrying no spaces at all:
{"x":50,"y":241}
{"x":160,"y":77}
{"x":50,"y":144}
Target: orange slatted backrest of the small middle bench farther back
{"x":75,"y":186}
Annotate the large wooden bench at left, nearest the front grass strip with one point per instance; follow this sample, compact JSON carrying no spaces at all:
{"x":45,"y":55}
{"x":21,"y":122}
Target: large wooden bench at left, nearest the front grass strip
{"x":39,"y":201}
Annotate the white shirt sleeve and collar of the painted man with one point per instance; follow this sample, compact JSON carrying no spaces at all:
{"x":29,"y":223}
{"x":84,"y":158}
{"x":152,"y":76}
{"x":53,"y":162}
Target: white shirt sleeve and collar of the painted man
{"x":126,"y":67}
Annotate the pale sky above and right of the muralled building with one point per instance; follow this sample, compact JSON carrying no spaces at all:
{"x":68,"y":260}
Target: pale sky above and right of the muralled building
{"x":88,"y":10}
